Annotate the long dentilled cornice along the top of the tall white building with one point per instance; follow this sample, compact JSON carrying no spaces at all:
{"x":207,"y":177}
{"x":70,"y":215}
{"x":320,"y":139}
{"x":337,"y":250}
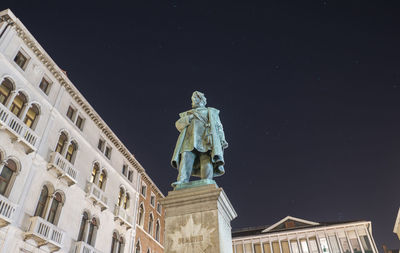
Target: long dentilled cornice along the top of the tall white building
{"x":30,"y":41}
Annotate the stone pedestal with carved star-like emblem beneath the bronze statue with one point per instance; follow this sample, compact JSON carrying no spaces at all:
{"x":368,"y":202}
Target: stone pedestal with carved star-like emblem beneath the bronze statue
{"x":197,"y":220}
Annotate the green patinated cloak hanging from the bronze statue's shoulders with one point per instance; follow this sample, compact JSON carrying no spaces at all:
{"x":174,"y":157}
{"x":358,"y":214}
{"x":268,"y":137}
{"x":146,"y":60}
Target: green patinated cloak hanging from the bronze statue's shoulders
{"x":218,"y":144}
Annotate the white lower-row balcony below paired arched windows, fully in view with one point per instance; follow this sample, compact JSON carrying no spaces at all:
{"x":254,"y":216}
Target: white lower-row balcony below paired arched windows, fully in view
{"x":45,"y":233}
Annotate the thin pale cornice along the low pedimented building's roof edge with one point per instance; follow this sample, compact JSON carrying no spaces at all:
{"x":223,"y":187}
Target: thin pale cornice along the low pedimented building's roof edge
{"x":295,"y":231}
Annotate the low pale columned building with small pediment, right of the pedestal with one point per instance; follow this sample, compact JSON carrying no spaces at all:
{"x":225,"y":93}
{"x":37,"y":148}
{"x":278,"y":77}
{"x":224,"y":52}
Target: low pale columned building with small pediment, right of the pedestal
{"x":293,"y":235}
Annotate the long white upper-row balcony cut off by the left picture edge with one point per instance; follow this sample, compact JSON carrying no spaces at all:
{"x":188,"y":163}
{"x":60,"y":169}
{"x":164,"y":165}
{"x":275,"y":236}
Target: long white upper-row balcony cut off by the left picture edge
{"x":18,"y":128}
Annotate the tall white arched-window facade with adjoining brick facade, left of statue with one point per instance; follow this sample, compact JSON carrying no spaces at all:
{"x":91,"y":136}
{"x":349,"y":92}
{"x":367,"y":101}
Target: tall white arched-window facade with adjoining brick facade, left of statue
{"x":67,"y":183}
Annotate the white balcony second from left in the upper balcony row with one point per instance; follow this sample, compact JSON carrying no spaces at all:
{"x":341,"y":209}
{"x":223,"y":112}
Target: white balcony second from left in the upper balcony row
{"x":63,"y":168}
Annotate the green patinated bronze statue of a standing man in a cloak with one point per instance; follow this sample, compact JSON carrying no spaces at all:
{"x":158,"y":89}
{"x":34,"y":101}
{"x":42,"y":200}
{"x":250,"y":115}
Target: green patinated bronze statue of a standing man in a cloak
{"x":199,"y":150}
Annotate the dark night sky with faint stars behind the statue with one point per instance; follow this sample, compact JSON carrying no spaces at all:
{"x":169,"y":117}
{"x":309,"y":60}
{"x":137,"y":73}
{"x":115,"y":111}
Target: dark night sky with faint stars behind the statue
{"x":309,"y":93}
